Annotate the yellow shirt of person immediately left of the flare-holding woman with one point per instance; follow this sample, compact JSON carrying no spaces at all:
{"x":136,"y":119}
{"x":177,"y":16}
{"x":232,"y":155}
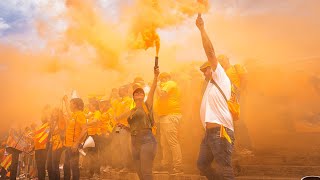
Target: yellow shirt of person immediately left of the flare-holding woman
{"x":123,"y":106}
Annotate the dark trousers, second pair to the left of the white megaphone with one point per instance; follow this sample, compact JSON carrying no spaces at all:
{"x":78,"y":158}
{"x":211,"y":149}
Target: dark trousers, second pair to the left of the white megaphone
{"x":53,"y":164}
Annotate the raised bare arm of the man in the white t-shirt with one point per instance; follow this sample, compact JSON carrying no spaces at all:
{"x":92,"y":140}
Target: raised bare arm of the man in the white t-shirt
{"x":207,"y":45}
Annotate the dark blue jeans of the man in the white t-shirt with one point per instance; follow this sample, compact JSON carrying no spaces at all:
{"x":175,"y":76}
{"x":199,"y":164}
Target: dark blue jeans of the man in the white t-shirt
{"x":217,"y":149}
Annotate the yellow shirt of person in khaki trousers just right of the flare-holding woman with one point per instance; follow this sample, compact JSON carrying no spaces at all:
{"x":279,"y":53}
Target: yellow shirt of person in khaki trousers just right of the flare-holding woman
{"x":169,"y":104}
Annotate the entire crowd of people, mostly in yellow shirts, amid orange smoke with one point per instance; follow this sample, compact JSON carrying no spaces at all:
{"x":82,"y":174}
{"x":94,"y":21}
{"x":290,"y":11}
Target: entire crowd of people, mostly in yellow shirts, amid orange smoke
{"x":127,"y":128}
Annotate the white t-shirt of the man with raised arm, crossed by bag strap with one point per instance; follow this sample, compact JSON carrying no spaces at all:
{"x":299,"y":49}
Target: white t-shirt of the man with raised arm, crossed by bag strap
{"x":214,"y":108}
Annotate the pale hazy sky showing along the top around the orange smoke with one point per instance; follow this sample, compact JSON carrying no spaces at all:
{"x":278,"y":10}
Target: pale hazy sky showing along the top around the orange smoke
{"x":17,"y":17}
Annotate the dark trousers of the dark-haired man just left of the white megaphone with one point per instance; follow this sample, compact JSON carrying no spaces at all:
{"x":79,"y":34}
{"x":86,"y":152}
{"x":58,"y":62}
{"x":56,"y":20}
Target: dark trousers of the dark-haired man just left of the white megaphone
{"x":71,"y":163}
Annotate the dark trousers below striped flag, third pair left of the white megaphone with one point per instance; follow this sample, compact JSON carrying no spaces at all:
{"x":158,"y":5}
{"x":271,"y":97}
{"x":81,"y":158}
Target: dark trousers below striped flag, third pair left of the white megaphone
{"x":41,"y":160}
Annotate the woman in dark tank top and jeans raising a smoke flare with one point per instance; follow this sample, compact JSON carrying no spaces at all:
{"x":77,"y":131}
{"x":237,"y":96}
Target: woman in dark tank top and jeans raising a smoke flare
{"x":143,"y":142}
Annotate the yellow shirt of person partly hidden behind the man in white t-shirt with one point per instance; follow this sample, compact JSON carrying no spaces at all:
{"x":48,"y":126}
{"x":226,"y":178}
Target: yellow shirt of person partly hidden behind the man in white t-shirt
{"x":234,"y":73}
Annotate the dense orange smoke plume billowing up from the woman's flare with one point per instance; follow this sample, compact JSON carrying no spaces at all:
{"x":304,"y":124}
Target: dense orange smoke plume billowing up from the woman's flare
{"x":151,"y":15}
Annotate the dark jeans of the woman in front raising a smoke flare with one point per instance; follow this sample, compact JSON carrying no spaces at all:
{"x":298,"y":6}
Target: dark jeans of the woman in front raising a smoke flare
{"x":144,"y":147}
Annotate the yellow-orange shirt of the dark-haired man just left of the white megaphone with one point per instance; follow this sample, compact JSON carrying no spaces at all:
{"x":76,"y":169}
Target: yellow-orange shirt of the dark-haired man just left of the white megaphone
{"x":74,"y":127}
